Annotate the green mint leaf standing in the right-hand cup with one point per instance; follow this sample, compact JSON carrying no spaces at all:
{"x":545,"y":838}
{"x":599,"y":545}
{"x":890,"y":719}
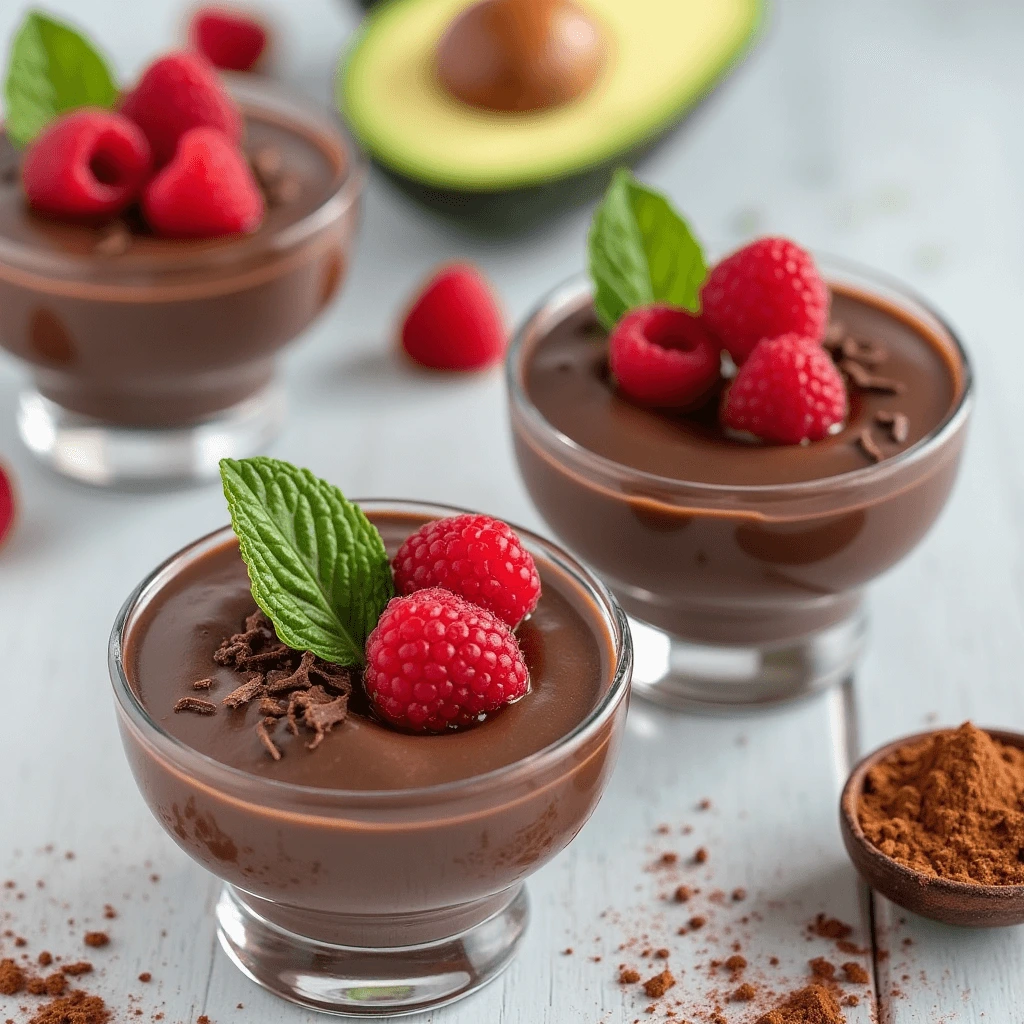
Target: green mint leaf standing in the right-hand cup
{"x":642,"y":251}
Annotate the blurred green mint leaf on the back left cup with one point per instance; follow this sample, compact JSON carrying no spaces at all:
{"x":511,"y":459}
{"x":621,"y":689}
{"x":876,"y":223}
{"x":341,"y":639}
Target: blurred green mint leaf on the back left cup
{"x":52,"y":70}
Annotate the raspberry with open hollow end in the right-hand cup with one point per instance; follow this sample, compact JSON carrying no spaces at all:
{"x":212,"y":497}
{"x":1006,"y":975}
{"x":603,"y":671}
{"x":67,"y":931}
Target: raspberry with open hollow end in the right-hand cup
{"x":664,"y":357}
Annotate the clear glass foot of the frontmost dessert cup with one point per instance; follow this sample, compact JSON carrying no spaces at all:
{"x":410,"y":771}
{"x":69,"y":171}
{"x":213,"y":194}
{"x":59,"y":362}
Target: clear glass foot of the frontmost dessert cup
{"x":363,"y":982}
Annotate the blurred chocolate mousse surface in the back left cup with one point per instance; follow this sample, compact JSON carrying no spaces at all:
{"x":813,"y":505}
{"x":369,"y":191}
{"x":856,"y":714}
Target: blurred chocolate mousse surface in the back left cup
{"x":307,"y":169}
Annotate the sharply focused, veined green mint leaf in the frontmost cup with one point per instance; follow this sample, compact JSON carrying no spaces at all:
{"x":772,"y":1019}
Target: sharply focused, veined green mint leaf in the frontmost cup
{"x":317,"y":565}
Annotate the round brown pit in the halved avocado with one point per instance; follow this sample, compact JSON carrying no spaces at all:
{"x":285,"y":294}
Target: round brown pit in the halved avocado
{"x":521,"y":56}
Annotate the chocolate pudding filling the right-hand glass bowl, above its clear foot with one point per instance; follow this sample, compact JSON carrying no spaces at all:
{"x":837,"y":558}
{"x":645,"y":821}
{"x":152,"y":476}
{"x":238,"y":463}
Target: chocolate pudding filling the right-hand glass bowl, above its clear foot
{"x":722,"y":541}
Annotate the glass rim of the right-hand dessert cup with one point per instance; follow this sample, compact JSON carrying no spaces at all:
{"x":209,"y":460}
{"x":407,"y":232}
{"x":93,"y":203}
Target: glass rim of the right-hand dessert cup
{"x":567,"y":296}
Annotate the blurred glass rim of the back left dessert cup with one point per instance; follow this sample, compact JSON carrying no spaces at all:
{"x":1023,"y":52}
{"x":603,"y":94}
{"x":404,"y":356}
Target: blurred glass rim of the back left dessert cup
{"x":90,"y":275}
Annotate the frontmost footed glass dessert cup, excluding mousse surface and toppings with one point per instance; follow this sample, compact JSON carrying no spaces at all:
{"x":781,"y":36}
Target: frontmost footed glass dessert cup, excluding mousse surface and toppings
{"x":307,"y":910}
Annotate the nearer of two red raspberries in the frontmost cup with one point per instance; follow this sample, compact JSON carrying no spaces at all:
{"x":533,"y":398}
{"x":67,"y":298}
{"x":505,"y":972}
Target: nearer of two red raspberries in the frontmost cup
{"x":436,"y":662}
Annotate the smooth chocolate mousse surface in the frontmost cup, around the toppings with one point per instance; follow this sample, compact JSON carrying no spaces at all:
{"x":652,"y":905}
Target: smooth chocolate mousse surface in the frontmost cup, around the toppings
{"x":172,"y":646}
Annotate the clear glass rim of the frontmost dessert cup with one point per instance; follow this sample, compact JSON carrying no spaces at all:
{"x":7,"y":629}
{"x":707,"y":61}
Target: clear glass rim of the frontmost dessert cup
{"x":613,"y":618}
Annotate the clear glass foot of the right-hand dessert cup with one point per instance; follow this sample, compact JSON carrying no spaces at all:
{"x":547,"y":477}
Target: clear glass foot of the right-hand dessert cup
{"x":684,"y":675}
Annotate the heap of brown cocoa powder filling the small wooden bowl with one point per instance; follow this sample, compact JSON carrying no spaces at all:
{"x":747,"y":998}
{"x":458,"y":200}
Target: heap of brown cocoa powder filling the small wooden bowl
{"x":951,"y":806}
